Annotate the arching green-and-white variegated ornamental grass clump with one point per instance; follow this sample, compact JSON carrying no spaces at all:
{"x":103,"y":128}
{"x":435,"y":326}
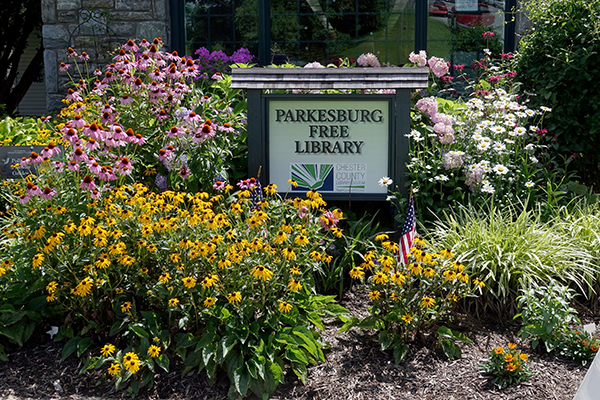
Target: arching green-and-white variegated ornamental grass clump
{"x":511,"y":249}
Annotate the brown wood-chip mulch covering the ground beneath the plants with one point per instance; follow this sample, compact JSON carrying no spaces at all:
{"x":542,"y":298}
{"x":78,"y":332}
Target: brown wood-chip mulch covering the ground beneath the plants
{"x":356,"y":368}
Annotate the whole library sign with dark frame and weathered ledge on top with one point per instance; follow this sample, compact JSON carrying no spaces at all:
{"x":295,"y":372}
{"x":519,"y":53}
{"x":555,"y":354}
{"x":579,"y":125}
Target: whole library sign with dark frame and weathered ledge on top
{"x":338,"y":144}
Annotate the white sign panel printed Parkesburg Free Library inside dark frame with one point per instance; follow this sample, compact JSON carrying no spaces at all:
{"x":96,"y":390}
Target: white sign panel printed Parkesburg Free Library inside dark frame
{"x":330,"y":146}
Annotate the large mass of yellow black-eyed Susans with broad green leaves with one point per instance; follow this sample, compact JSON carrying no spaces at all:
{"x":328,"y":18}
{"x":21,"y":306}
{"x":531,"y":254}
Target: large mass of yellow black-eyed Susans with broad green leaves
{"x":224,"y":282}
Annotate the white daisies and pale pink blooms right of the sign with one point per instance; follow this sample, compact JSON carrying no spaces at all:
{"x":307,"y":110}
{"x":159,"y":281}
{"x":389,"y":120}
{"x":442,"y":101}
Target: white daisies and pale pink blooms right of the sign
{"x":490,"y":143}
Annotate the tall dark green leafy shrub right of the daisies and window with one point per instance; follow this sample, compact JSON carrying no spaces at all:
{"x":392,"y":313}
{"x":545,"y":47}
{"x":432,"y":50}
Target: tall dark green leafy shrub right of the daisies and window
{"x":558,"y":63}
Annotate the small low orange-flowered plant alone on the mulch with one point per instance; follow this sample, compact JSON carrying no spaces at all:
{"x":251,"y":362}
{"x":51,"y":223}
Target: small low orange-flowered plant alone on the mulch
{"x":507,"y":366}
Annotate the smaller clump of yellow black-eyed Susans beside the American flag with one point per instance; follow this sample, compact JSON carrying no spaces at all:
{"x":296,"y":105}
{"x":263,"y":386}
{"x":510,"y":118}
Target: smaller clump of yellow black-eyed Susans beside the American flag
{"x":413,"y":300}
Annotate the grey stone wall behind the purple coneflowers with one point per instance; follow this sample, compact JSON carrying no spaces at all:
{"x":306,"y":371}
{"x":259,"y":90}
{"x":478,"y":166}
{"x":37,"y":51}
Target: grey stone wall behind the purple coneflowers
{"x":96,"y":27}
